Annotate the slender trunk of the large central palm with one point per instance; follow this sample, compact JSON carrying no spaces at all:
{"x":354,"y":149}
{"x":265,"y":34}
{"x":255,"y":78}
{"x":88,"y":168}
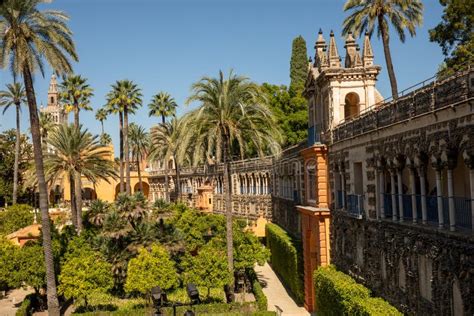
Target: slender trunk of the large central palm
{"x":228,"y":211}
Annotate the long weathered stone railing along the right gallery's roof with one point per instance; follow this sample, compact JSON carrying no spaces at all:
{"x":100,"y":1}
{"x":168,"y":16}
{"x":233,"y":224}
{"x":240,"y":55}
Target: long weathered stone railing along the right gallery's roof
{"x":425,"y":97}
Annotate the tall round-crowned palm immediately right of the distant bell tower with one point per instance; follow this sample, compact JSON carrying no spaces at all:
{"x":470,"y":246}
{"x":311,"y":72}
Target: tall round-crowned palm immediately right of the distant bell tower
{"x":75,"y":94}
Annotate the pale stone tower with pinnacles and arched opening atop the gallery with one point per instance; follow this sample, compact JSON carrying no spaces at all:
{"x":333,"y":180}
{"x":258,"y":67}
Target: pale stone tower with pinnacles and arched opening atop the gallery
{"x":337,"y":91}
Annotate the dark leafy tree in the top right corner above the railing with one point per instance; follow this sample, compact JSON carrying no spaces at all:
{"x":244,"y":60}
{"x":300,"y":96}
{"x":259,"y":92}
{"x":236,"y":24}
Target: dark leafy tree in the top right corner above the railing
{"x":455,"y":34}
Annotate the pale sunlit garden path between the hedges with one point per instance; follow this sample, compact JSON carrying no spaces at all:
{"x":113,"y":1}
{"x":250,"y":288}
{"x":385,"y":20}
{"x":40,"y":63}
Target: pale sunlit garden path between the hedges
{"x":277,"y":296}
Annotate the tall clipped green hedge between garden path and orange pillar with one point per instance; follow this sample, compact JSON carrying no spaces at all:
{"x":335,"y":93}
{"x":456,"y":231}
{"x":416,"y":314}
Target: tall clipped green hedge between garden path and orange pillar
{"x":286,"y":259}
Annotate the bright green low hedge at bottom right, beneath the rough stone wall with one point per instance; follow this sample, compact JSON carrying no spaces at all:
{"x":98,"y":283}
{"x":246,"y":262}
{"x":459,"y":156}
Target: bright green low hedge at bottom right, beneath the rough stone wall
{"x":339,"y":294}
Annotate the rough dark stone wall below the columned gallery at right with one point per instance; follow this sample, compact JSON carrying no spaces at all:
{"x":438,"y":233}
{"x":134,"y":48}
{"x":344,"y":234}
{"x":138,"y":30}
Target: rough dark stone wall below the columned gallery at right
{"x":395,"y":260}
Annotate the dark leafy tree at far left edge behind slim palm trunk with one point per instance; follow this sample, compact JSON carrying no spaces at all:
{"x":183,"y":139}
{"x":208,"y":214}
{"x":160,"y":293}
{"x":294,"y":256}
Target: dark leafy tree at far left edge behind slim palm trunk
{"x":7,"y":159}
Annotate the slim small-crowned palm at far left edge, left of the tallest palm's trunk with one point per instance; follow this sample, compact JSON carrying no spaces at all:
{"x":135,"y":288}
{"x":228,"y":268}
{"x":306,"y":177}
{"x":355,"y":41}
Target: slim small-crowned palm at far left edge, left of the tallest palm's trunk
{"x":14,"y":96}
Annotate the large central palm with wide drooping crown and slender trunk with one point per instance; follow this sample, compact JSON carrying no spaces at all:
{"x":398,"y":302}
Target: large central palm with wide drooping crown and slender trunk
{"x":233,"y":112}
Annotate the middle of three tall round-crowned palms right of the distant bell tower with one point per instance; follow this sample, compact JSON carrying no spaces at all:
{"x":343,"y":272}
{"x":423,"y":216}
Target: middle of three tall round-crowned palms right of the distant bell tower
{"x":124,"y":99}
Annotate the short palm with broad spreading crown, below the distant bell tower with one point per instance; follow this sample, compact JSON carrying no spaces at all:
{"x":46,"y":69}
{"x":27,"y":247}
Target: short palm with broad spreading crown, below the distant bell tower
{"x":76,"y":152}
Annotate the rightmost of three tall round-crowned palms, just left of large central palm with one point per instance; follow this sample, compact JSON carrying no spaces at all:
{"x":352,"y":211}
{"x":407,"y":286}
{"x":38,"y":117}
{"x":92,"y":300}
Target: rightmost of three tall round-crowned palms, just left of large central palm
{"x":162,"y":104}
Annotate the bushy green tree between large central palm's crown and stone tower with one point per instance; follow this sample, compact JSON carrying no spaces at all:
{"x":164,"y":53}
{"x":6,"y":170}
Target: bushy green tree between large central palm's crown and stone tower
{"x":291,"y":113}
